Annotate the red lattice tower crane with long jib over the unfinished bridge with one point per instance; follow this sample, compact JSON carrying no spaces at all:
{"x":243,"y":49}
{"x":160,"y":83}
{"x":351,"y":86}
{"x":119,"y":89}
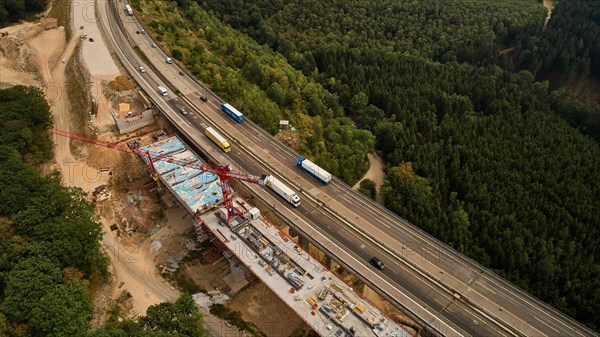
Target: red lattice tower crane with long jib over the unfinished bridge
{"x":224,"y":172}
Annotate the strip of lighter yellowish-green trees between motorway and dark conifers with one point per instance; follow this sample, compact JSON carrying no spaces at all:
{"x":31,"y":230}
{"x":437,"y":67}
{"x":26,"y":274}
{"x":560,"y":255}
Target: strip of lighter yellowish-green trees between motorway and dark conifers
{"x":265,"y":87}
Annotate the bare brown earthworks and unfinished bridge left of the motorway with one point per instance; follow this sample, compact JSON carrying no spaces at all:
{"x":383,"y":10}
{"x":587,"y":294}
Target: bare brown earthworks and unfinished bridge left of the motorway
{"x":167,"y":235}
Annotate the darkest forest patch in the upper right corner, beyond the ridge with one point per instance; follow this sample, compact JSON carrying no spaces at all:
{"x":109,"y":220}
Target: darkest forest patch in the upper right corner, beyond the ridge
{"x":568,"y":53}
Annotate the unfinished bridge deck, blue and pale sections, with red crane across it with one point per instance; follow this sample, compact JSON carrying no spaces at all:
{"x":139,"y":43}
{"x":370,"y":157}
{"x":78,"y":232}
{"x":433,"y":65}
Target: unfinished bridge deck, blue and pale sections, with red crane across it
{"x":255,"y":249}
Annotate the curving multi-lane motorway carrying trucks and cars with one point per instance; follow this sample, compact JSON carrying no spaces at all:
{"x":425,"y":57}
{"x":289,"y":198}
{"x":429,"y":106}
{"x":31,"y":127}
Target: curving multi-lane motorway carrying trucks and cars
{"x":440,"y":288}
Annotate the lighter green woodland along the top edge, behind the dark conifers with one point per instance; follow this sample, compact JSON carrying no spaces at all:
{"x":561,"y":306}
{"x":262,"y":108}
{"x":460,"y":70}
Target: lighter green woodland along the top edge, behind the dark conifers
{"x":460,"y":30}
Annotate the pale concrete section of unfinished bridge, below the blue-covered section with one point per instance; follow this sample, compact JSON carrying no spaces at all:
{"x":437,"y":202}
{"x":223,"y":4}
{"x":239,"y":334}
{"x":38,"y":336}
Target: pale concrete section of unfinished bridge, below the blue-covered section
{"x":256,"y":249}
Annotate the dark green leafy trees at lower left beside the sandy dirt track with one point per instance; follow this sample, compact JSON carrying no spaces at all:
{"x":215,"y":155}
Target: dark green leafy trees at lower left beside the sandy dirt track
{"x":49,"y":242}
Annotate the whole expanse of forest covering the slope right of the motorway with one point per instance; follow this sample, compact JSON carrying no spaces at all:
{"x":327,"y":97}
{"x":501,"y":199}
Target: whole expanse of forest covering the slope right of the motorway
{"x":478,"y":152}
